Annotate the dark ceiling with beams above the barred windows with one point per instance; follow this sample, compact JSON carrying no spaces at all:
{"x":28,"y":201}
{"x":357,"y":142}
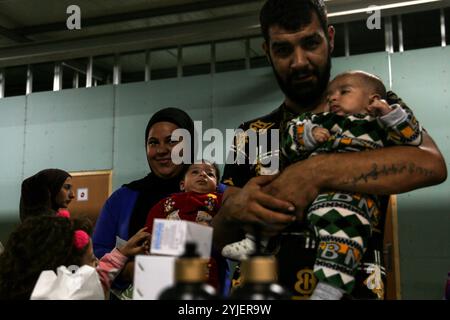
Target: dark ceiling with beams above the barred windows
{"x":33,"y":31}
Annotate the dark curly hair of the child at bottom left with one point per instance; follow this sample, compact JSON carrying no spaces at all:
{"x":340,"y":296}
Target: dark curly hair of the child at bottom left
{"x":38,"y":244}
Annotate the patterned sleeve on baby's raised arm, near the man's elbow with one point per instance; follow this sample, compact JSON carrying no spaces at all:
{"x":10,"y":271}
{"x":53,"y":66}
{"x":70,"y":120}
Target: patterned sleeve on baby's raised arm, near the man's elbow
{"x":402,"y":126}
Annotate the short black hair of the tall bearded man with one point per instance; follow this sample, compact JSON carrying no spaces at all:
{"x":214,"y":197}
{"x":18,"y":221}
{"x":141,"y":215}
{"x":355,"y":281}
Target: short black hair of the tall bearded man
{"x":291,"y":14}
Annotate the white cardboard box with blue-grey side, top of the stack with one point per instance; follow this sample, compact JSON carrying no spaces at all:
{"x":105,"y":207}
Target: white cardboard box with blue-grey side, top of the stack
{"x":170,"y":236}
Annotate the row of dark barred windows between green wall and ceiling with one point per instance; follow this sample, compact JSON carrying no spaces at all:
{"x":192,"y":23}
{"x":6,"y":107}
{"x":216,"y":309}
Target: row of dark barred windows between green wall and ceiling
{"x":400,"y":32}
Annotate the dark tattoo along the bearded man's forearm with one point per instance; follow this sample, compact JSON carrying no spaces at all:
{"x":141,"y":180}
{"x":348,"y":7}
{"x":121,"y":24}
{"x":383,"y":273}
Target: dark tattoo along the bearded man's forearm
{"x":391,"y":170}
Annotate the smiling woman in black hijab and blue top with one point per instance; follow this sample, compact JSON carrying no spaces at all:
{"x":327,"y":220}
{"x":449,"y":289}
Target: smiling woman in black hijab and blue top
{"x":125,"y":212}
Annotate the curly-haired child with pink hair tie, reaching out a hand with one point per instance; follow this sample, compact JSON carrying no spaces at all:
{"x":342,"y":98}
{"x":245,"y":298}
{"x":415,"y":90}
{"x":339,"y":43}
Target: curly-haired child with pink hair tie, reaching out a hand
{"x":48,"y":242}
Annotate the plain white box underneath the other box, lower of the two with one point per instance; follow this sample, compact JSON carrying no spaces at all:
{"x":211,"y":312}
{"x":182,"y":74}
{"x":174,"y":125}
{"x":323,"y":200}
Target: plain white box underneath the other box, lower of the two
{"x":152,"y":274}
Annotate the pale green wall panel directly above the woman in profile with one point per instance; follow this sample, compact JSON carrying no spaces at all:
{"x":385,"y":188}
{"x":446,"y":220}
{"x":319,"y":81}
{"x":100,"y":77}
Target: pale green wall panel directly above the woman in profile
{"x":70,"y":129}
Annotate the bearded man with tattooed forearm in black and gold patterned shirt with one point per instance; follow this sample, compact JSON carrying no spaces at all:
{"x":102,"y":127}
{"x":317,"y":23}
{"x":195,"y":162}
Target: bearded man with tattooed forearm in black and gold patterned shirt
{"x":298,"y":44}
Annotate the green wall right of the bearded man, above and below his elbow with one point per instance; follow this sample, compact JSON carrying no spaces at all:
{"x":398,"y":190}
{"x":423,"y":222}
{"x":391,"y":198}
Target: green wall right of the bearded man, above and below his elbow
{"x":422,"y":78}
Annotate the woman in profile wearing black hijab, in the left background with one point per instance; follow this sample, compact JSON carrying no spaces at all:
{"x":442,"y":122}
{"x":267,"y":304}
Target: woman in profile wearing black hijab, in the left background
{"x":46,"y":192}
